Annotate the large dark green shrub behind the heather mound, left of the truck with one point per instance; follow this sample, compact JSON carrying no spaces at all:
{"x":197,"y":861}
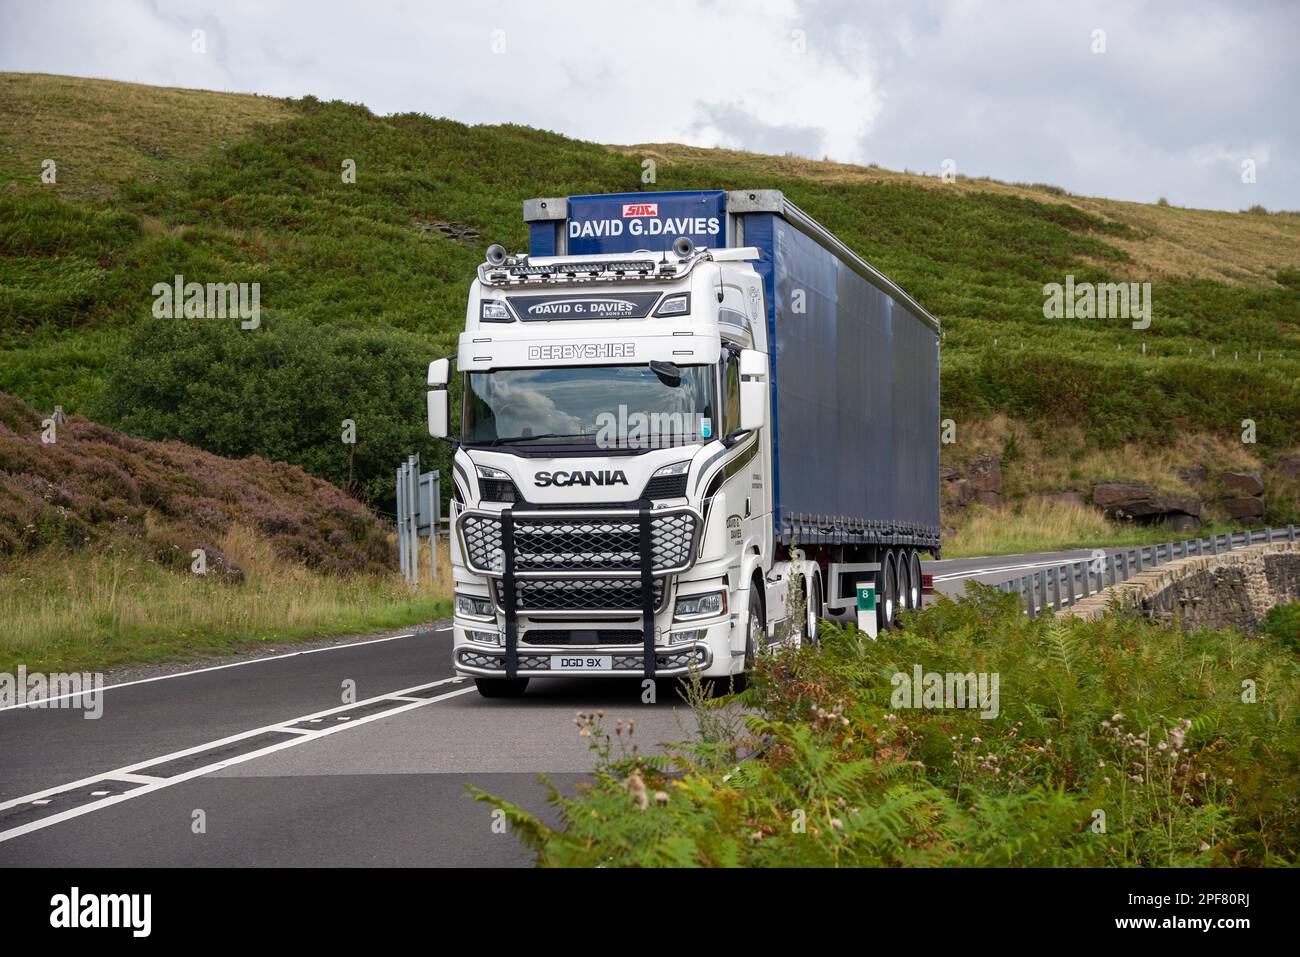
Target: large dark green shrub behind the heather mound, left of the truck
{"x":283,"y":392}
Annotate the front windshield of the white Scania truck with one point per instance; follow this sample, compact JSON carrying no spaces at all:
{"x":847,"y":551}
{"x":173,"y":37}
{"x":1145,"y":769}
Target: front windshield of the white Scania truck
{"x":596,"y":406}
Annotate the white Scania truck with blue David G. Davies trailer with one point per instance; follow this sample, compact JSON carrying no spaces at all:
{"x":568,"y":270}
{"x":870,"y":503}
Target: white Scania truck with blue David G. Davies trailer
{"x":679,"y":410}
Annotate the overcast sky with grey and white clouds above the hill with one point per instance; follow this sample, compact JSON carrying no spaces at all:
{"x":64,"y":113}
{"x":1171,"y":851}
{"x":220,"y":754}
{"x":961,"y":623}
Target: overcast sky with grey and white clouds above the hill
{"x":1182,"y":96}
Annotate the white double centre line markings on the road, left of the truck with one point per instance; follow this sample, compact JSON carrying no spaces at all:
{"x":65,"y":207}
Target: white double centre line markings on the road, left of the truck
{"x":151,"y":785}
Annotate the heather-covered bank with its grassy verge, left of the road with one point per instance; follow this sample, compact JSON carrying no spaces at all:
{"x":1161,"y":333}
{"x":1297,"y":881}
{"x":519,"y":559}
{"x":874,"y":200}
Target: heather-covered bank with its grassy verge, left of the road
{"x":116,"y":549}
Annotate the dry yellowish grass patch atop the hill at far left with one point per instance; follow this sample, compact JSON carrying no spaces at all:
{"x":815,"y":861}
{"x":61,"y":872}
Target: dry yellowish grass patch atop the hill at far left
{"x":102,"y":133}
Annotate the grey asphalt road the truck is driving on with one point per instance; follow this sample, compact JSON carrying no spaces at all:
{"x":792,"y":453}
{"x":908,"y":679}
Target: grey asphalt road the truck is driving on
{"x":263,"y":764}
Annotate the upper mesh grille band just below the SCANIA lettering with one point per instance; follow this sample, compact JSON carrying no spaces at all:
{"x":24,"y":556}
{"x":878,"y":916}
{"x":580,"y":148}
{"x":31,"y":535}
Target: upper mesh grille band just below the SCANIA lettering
{"x":580,"y":544}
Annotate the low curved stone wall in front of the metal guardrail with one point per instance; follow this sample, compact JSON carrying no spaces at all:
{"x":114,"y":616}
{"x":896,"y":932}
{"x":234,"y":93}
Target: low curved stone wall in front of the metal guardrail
{"x":1234,"y":588}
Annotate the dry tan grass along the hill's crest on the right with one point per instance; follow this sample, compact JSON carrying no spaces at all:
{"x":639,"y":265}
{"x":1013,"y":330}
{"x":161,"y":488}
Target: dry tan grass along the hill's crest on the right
{"x":1173,"y":241}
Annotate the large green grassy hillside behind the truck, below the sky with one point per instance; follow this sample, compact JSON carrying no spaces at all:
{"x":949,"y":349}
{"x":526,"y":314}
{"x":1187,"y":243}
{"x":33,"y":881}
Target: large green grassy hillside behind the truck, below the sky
{"x":362,"y":283}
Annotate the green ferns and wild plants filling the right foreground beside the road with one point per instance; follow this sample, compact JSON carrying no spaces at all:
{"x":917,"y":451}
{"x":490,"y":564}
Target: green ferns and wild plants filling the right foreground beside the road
{"x":1115,"y":743}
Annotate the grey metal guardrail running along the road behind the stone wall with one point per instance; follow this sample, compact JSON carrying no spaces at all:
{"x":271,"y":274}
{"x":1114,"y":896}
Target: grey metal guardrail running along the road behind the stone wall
{"x":1061,"y":586}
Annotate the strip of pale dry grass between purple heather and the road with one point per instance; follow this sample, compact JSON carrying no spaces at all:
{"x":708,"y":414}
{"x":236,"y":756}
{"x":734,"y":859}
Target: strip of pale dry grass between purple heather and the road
{"x":101,"y":607}
